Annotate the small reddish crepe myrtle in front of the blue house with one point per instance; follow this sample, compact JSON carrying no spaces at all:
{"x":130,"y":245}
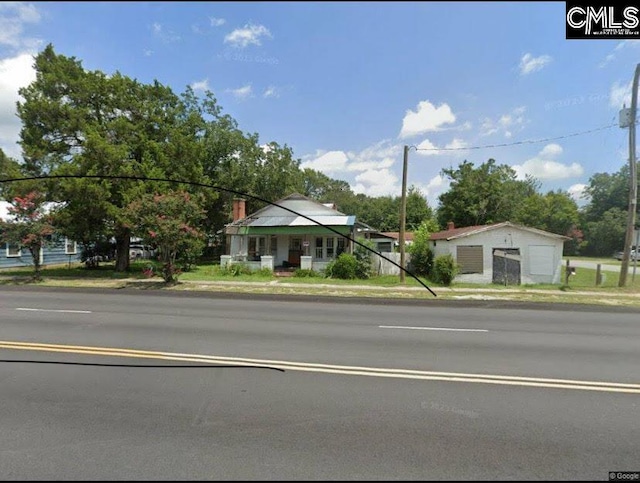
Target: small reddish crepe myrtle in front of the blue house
{"x":30,"y":227}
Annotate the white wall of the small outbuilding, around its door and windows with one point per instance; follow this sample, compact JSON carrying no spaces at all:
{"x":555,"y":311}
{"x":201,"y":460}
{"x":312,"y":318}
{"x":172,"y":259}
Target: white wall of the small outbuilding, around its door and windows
{"x":509,"y":237}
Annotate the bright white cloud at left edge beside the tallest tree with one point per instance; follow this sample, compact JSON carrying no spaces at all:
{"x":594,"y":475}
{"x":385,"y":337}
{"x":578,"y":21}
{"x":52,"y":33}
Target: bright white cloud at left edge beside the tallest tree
{"x":15,"y":72}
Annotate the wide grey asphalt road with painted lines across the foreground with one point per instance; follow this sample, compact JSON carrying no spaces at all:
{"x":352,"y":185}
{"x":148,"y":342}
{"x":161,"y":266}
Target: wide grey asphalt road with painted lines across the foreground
{"x":376,"y":391}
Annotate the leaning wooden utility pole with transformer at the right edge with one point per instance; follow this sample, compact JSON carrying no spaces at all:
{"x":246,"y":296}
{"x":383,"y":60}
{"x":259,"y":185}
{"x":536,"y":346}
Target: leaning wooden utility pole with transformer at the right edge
{"x":633,"y":186}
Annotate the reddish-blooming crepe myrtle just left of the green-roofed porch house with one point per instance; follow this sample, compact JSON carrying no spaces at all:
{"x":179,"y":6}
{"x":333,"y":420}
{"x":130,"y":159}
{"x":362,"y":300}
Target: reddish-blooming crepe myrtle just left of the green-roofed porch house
{"x":171,"y":222}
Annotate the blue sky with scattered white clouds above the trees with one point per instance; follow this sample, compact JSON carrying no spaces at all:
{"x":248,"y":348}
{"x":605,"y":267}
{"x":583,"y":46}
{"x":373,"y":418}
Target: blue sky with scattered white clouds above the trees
{"x":348,"y":85}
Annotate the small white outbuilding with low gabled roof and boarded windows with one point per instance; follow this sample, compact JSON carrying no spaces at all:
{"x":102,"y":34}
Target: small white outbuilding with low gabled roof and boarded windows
{"x":502,"y":253}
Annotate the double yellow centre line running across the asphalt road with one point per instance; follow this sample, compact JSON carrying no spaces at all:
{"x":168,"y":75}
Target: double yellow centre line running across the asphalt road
{"x":329,"y":368}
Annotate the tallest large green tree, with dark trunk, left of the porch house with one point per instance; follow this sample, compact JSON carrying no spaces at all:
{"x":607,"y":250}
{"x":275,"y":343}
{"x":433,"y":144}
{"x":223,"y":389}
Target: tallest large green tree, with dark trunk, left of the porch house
{"x":80,"y":122}
